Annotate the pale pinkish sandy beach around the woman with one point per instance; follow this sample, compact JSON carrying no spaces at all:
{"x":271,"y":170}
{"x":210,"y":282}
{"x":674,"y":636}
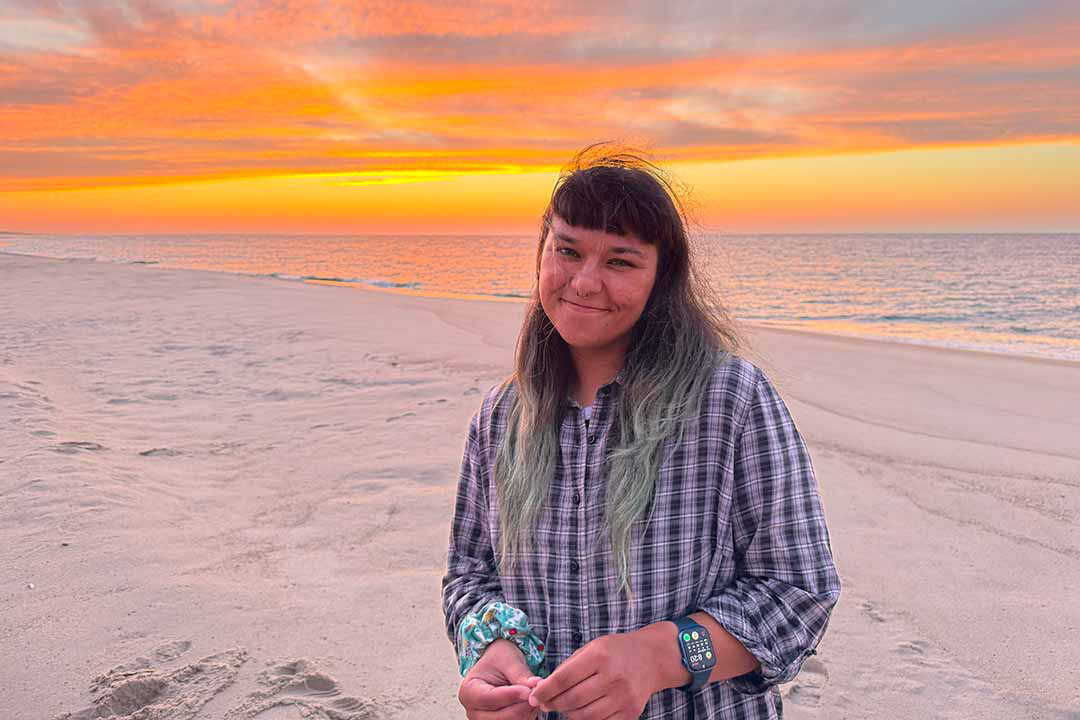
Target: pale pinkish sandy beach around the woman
{"x":228,"y":497}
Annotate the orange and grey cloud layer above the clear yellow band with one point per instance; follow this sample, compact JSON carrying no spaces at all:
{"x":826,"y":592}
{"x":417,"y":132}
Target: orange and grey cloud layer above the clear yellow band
{"x":144,"y":91}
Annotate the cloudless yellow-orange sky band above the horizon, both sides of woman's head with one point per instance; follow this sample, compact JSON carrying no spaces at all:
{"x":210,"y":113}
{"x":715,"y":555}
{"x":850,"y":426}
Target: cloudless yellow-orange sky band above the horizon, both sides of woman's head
{"x":994,"y":188}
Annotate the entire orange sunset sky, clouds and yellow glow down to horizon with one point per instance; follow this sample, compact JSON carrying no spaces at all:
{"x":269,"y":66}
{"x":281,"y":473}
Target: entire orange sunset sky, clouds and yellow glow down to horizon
{"x":399,"y":116}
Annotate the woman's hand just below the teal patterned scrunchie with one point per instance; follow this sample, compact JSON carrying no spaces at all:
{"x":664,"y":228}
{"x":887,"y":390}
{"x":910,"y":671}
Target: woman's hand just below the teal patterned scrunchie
{"x":498,"y":686}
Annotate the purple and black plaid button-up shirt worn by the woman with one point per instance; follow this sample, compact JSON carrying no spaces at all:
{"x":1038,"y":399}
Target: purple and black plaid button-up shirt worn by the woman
{"x":737,"y":531}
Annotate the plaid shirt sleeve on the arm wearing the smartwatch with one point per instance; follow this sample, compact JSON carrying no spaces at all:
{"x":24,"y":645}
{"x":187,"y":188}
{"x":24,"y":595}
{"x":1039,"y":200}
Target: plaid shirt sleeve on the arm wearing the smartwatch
{"x":787,"y":585}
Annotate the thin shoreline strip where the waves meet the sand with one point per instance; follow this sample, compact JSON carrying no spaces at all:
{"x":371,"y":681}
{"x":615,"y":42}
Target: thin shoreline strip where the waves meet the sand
{"x":753,"y":327}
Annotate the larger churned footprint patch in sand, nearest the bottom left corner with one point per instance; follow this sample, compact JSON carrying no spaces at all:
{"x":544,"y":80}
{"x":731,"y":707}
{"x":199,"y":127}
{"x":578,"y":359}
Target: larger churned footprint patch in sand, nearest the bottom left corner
{"x":139,"y":691}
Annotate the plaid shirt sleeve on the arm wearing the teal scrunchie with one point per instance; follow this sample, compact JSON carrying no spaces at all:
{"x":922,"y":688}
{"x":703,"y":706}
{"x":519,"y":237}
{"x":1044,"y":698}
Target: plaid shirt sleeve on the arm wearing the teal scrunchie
{"x":472,"y":578}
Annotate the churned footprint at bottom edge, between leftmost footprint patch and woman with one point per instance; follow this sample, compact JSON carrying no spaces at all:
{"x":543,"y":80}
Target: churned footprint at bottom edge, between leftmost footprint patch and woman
{"x":298,"y":690}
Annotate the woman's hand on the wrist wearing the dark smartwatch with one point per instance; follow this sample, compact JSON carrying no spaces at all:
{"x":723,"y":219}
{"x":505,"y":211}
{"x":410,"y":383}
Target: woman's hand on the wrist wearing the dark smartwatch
{"x":612,"y":677}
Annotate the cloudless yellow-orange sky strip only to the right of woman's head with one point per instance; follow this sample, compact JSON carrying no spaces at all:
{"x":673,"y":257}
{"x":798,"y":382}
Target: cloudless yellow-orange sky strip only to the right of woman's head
{"x":948,"y":189}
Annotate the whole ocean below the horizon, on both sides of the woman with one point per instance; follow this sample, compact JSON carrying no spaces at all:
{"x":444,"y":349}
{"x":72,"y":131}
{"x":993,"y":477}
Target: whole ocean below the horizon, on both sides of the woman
{"x":1017,"y":294}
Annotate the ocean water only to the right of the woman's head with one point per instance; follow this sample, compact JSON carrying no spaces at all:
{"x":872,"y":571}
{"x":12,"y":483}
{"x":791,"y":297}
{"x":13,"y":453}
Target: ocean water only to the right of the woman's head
{"x":1007,"y":293}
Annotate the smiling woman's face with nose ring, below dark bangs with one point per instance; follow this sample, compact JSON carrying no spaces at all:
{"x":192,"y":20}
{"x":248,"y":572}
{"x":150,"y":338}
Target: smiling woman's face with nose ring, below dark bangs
{"x":595,"y":284}
